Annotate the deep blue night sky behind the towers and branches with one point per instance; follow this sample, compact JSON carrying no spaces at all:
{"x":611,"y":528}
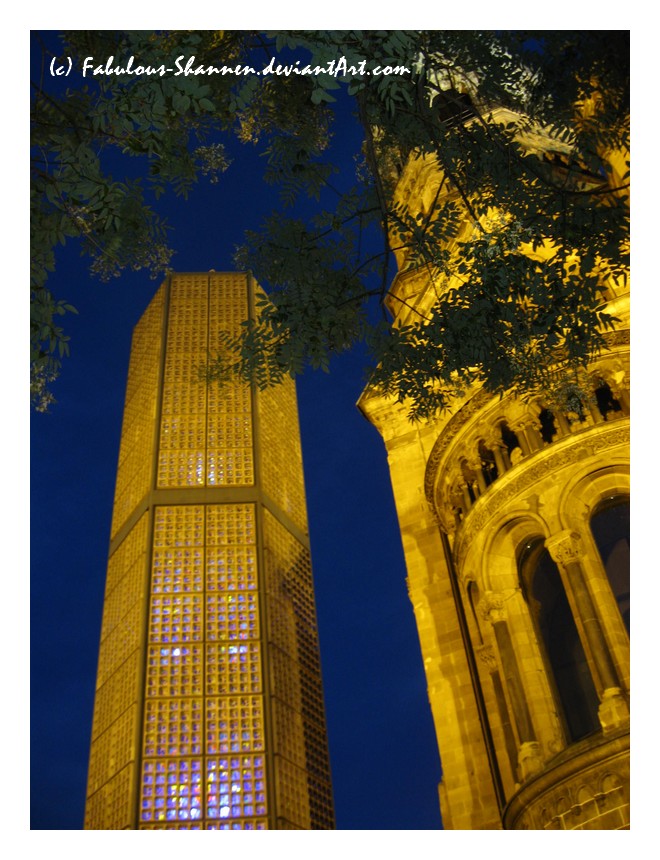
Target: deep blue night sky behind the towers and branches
{"x":384,"y":758}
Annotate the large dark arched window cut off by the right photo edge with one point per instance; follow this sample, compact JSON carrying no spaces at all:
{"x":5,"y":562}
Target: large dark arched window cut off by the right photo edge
{"x":610,"y":526}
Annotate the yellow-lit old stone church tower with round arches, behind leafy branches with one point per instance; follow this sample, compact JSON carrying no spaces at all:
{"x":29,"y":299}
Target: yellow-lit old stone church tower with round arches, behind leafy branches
{"x":514,"y":518}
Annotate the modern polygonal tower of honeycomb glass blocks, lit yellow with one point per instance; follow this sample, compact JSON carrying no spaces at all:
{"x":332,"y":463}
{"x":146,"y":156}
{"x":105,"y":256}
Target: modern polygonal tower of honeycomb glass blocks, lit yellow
{"x":209,"y":708}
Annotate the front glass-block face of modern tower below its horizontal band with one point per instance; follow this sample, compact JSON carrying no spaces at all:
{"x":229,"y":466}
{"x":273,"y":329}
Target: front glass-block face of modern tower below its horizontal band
{"x":204,"y":673}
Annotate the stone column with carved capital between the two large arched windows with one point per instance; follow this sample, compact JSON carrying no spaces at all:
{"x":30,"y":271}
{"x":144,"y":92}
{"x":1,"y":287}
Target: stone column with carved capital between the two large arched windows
{"x":566,"y":550}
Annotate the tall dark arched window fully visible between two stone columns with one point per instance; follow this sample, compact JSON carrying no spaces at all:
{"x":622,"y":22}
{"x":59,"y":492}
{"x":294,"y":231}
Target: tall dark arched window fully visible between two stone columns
{"x":544,"y":591}
